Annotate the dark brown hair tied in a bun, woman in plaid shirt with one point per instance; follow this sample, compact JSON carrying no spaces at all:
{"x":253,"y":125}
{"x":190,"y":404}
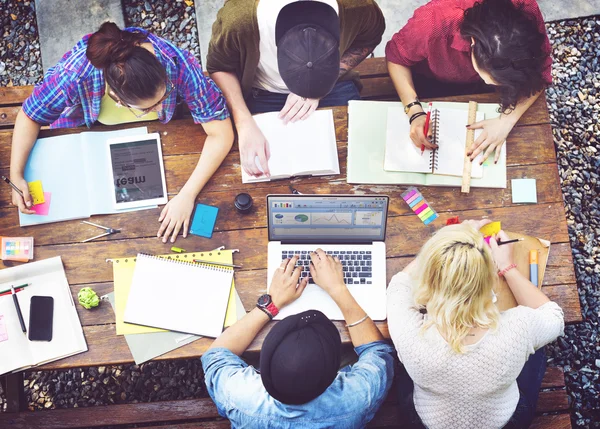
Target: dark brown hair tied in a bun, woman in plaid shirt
{"x":131,"y":71}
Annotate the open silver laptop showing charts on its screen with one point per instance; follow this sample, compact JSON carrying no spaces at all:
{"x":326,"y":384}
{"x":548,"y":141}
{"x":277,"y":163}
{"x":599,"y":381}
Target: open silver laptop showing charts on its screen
{"x":351,"y":227}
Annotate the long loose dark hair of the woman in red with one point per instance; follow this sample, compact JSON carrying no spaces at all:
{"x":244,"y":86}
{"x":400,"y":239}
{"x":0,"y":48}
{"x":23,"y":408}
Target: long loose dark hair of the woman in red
{"x":509,"y":46}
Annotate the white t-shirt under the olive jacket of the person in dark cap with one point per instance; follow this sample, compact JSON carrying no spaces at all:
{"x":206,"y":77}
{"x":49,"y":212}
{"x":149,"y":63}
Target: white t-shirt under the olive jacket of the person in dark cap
{"x":267,"y":73}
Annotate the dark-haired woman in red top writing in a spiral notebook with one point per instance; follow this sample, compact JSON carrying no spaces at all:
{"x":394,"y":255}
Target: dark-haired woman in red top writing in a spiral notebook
{"x":452,"y":47}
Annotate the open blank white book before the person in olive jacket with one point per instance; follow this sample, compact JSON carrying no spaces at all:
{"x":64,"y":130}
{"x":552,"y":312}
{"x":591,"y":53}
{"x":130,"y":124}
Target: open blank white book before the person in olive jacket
{"x":303,"y":148}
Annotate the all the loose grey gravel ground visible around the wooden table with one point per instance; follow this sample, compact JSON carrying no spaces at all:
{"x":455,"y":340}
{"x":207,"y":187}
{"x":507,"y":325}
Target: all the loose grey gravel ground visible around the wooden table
{"x":574,"y":103}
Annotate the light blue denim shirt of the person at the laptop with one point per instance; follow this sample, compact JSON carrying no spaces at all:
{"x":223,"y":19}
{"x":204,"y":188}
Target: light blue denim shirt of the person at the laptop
{"x":349,"y":402}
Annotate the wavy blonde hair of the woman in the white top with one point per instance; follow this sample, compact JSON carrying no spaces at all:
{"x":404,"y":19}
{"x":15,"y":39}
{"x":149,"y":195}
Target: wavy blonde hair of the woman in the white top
{"x":455,"y":276}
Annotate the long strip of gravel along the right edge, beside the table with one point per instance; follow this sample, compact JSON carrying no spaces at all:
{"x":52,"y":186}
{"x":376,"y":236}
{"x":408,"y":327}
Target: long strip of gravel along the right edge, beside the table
{"x":574,"y":104}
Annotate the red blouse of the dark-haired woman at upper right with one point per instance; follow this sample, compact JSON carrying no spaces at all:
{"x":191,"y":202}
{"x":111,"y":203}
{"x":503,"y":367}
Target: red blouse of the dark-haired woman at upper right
{"x":430,"y":43}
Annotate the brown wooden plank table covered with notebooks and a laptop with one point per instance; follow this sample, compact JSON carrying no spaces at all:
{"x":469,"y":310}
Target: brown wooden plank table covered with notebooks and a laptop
{"x":530,"y":154}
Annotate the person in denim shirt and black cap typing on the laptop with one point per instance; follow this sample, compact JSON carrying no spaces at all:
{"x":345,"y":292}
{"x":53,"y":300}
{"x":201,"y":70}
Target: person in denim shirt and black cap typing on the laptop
{"x":299,"y":383}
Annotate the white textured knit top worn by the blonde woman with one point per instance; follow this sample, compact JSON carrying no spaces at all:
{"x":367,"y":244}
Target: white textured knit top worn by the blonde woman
{"x":477,"y":389}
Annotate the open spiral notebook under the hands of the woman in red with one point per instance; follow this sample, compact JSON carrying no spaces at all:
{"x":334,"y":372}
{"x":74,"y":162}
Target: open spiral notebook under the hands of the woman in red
{"x":448,"y":132}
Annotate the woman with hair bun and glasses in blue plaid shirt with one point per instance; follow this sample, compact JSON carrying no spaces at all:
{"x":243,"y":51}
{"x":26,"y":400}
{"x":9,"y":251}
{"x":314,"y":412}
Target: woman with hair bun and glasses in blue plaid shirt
{"x":120,"y":76}
